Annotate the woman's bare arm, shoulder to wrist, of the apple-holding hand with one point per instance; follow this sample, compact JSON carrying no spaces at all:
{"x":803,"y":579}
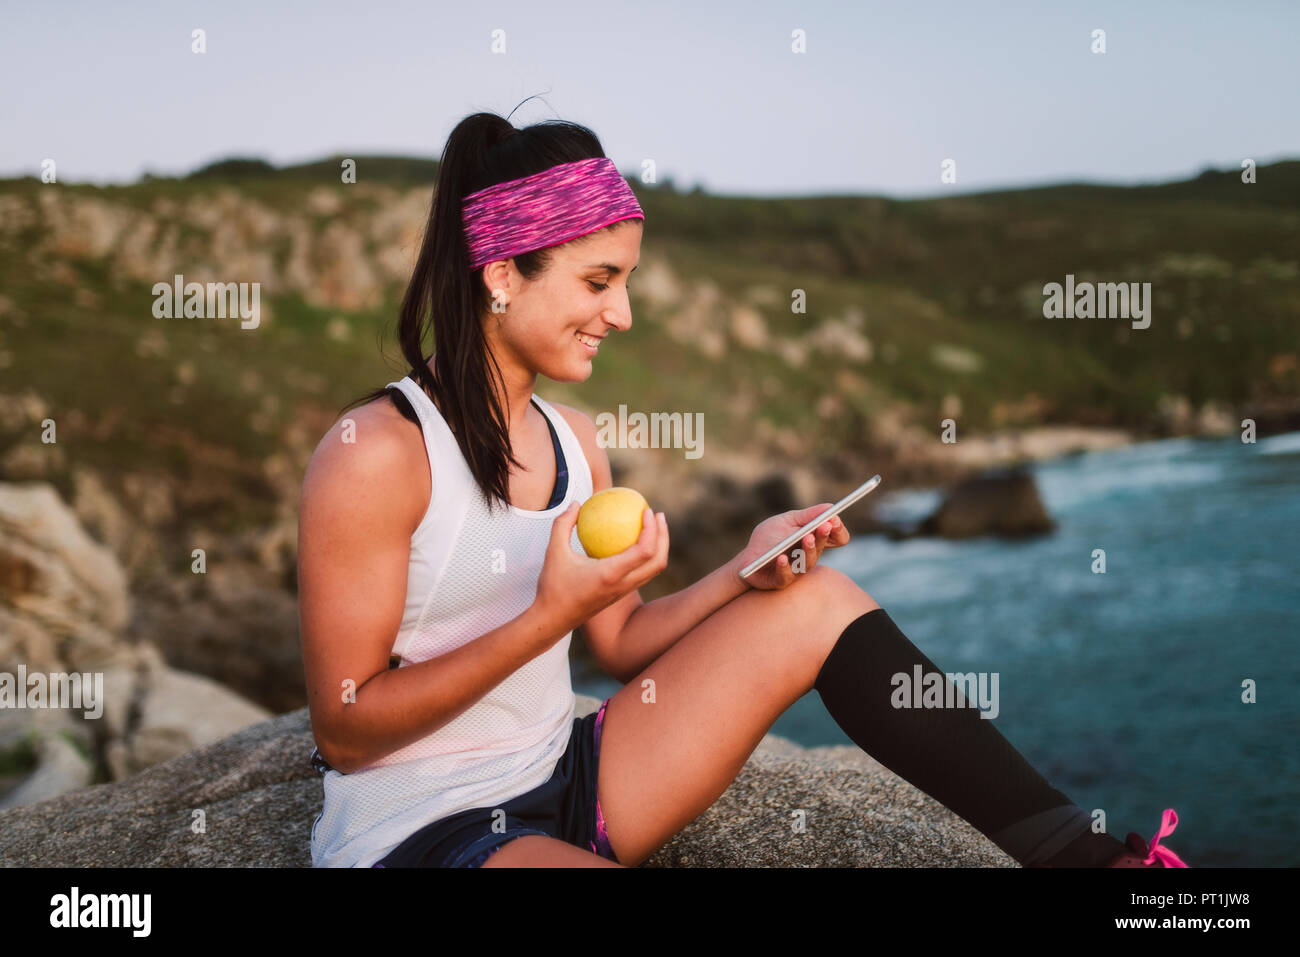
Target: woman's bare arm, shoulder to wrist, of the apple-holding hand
{"x":356,"y":526}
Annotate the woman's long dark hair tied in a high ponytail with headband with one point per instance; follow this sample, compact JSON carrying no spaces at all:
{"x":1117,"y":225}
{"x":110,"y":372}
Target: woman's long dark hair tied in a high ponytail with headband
{"x":483,"y":150}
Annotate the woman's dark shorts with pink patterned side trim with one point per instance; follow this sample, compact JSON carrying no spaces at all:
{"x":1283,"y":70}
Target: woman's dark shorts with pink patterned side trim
{"x":566,"y":807}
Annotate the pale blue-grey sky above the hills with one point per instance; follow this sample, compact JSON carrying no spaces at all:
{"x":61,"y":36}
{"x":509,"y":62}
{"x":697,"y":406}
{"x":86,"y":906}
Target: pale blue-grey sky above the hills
{"x":712,"y":93}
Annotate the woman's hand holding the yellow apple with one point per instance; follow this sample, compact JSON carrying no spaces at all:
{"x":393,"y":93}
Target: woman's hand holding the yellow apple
{"x":574,"y":587}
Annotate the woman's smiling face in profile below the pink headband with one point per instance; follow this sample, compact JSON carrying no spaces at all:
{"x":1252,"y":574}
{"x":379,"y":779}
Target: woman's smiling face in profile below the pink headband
{"x":583,"y":292}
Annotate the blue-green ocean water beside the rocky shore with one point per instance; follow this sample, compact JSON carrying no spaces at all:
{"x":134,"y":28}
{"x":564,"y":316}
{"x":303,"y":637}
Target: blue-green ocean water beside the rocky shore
{"x":1125,"y":690}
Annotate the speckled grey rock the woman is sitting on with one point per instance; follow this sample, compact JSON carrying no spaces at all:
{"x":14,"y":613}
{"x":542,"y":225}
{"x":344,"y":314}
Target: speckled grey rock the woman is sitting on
{"x":250,"y":802}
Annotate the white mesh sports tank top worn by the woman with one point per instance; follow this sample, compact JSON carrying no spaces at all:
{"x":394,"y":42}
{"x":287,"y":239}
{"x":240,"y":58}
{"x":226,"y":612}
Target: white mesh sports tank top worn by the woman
{"x":470,"y":573}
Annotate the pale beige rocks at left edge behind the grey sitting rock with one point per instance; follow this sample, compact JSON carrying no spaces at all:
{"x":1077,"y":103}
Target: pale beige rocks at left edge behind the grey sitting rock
{"x":63,"y":608}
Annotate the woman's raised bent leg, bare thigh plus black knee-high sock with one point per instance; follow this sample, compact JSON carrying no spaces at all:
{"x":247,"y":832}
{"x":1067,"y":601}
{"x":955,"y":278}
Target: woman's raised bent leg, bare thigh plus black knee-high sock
{"x":742,"y":668}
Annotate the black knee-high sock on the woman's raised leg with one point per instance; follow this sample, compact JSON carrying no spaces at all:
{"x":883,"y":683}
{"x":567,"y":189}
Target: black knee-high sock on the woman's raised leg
{"x":952,"y":754}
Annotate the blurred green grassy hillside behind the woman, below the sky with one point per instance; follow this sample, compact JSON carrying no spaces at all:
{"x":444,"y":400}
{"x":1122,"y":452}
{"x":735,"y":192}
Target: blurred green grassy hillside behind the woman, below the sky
{"x":964,"y":272}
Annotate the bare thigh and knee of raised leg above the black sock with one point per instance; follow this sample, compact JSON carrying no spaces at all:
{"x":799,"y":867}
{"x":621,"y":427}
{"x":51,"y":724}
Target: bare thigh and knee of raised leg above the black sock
{"x":716,"y":694}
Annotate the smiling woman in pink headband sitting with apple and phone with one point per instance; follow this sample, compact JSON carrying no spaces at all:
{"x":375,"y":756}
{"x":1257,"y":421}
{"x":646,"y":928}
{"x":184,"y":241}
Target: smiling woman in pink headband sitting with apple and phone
{"x":441,"y":581}
